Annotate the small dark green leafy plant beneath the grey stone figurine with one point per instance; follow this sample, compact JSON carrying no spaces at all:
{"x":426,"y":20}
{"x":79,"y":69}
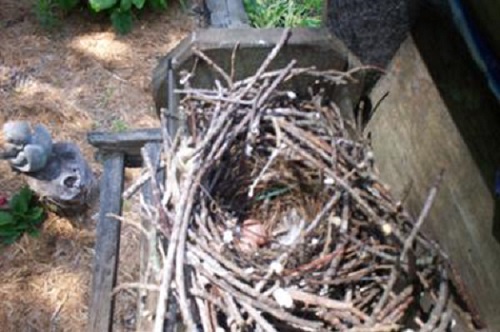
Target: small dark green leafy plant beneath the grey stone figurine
{"x":23,"y":215}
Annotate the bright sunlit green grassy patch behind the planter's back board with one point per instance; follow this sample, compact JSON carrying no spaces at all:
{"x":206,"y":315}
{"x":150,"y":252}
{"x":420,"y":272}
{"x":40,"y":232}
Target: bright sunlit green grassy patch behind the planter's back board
{"x":284,"y":13}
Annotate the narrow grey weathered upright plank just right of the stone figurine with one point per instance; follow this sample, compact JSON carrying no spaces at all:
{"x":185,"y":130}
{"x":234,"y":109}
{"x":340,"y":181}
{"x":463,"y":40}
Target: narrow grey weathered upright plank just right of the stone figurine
{"x":107,"y":245}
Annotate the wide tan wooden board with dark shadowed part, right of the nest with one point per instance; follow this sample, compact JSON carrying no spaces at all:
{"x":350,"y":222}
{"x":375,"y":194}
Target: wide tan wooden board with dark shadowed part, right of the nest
{"x":440,"y":114}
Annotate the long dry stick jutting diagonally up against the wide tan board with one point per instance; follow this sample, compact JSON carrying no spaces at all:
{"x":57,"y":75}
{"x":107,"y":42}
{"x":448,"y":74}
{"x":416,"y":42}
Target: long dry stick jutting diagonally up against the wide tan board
{"x":408,"y":243}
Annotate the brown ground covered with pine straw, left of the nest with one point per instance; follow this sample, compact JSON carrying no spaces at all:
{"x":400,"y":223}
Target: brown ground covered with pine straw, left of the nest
{"x":79,"y":78}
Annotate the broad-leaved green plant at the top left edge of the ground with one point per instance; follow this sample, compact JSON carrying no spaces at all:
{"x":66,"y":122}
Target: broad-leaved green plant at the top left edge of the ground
{"x":120,"y":12}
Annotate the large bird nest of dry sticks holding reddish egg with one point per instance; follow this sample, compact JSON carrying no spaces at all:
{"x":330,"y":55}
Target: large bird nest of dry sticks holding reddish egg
{"x":274,"y":218}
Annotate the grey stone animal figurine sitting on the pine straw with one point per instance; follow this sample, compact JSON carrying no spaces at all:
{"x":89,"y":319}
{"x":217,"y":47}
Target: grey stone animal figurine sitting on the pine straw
{"x":56,"y":172}
